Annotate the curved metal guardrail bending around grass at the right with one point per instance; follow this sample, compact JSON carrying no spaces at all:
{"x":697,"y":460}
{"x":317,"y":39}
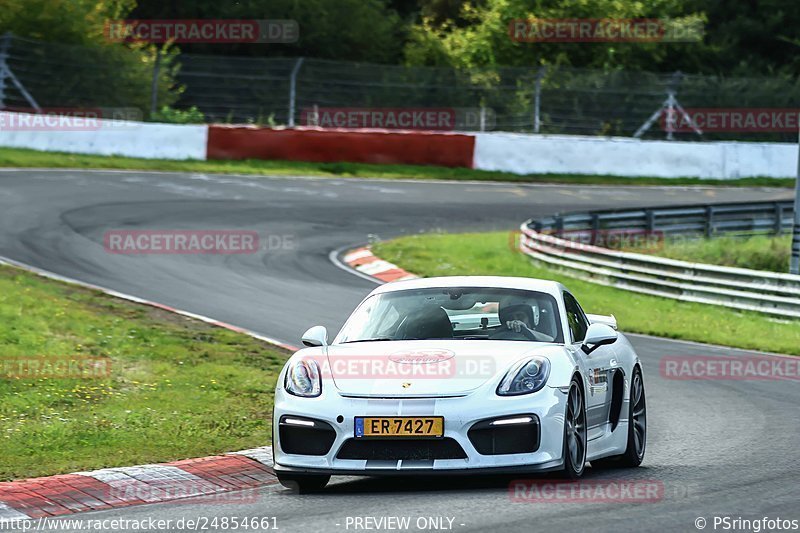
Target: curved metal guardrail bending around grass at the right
{"x":738,"y":288}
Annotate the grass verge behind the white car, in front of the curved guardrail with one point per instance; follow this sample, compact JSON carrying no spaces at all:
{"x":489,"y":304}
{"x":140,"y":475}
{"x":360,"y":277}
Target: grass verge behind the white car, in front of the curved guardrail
{"x":491,"y":254}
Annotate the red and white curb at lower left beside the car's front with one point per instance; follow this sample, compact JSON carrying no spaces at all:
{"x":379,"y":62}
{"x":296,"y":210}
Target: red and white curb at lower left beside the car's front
{"x":135,"y":485}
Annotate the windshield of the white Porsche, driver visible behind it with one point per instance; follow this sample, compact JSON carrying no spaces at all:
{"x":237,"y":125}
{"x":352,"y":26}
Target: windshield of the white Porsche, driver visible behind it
{"x":455,"y":313}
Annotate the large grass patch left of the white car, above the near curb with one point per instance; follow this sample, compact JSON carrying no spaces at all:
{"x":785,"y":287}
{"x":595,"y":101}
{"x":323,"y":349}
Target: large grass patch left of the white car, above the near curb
{"x":178,"y":388}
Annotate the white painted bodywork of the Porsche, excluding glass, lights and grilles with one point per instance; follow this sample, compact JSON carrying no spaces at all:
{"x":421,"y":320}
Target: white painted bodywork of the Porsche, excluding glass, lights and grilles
{"x":466,"y":399}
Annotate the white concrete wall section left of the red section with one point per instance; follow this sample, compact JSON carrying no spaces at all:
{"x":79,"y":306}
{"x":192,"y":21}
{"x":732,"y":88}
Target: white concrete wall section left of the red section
{"x":106,"y":137}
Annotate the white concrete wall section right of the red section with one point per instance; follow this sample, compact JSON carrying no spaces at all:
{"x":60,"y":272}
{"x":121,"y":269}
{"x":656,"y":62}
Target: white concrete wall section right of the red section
{"x":567,"y":154}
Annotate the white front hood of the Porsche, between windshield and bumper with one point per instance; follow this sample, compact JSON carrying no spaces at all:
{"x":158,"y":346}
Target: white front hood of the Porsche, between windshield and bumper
{"x":423,"y":367}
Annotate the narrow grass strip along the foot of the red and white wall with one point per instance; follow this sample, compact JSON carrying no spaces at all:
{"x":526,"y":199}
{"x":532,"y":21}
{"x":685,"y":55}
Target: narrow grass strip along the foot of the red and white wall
{"x":15,"y":157}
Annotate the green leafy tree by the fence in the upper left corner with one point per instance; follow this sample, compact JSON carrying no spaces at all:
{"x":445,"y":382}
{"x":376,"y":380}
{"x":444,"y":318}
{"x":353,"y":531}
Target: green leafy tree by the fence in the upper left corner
{"x":88,"y":70}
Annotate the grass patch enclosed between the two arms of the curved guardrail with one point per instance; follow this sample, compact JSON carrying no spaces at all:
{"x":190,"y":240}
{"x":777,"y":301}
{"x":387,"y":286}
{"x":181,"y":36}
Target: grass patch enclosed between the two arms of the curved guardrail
{"x":760,"y":252}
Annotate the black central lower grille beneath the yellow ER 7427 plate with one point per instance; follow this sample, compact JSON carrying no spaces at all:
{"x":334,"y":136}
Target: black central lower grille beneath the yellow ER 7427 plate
{"x":401,"y":449}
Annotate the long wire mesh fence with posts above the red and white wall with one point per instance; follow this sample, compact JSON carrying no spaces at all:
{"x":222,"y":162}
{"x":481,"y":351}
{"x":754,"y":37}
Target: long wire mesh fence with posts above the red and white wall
{"x":292,"y":91}
